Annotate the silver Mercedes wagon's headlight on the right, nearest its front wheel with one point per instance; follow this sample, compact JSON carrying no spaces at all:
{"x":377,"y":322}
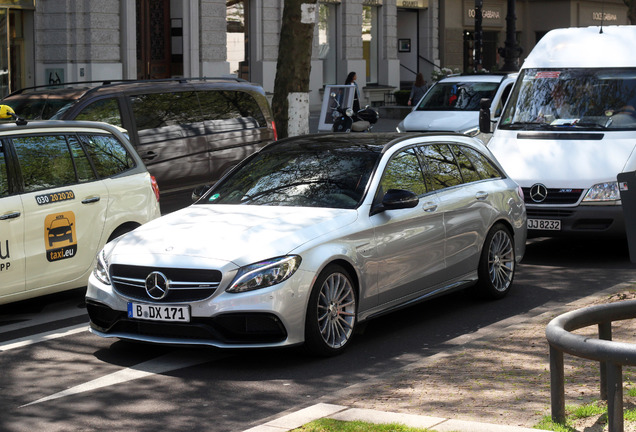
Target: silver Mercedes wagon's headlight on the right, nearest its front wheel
{"x":264,"y":274}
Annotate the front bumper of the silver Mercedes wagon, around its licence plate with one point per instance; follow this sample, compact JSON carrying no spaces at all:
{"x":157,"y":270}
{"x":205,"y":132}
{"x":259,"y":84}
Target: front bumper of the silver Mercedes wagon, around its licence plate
{"x":271,"y":317}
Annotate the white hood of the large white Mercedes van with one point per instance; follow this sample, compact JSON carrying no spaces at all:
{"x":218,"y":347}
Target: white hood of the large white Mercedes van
{"x":571,"y":163}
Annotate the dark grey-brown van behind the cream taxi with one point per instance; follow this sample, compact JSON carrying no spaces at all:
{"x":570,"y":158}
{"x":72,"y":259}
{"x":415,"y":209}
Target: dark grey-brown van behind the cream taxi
{"x":188,"y":132}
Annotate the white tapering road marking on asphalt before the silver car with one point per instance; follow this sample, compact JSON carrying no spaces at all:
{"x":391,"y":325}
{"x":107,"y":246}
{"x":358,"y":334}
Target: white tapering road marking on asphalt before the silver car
{"x":166,"y":363}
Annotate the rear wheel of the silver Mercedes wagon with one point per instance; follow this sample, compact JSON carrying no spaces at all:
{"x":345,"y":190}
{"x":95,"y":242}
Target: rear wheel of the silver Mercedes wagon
{"x":497,"y":263}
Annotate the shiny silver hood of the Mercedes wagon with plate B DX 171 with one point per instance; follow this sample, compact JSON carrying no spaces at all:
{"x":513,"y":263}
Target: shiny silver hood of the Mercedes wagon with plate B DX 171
{"x":227,"y":233}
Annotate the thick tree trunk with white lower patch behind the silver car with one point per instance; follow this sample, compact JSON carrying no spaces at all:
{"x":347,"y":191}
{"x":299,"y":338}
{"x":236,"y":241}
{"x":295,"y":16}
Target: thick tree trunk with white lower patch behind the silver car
{"x":294,"y":64}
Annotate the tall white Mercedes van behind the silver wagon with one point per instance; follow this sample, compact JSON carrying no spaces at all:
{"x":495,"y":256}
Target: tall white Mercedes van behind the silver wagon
{"x":569,"y":127}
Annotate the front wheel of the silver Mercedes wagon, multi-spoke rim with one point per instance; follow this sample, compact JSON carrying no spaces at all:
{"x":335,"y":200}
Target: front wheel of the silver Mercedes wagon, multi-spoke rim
{"x":331,"y":313}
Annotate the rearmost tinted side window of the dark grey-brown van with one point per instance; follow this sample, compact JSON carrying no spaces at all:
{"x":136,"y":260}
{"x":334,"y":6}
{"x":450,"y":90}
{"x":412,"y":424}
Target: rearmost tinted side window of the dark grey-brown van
{"x":229,"y":105}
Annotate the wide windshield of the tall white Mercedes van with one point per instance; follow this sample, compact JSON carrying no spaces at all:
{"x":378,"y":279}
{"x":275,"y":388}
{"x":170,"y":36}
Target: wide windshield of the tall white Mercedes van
{"x":578,"y":99}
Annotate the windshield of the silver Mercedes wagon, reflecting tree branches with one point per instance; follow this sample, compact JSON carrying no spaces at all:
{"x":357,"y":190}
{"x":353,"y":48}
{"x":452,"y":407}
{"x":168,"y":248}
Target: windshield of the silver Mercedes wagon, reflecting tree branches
{"x":333,"y":176}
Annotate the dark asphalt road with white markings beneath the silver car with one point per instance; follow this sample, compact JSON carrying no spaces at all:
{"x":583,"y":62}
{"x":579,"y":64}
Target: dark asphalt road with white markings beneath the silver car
{"x":55,"y":376}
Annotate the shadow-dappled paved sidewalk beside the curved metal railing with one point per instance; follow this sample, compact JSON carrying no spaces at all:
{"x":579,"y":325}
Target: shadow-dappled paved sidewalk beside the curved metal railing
{"x":496,"y":379}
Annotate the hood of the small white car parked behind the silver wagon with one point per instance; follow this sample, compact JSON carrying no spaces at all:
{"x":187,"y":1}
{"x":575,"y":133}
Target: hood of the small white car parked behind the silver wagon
{"x":446,"y":121}
